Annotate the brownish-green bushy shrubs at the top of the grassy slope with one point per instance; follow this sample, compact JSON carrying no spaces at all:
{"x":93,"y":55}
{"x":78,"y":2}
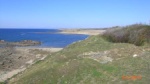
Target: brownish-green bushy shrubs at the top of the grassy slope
{"x":137,"y":34}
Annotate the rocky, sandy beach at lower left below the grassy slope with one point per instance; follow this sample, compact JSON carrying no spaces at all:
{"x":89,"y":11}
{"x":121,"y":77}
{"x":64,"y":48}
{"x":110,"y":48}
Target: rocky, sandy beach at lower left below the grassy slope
{"x":16,"y":59}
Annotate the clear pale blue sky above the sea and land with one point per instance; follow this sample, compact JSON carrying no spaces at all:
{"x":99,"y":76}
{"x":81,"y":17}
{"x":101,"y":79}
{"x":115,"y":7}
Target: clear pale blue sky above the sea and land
{"x":72,"y":13}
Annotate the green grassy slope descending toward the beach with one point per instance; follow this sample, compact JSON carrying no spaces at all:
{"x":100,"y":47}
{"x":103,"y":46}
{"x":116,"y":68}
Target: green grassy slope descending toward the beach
{"x":69,"y":67}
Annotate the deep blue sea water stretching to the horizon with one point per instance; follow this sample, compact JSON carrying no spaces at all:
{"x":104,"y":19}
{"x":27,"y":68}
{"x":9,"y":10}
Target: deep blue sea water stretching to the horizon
{"x":48,"y":37}
